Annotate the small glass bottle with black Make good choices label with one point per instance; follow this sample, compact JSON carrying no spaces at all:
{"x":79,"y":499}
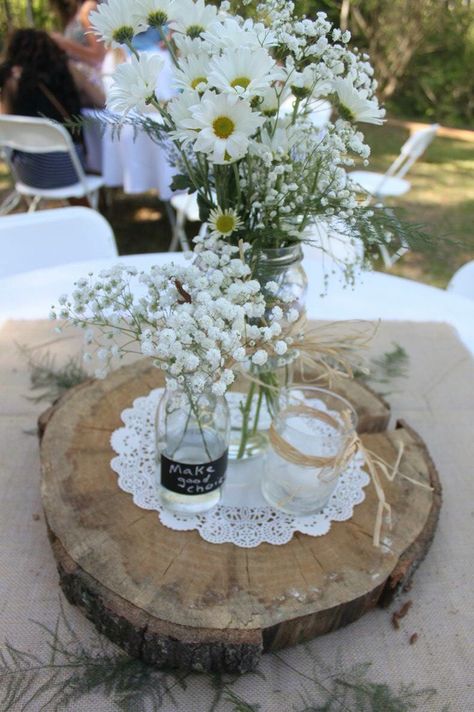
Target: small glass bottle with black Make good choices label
{"x":192,"y":441}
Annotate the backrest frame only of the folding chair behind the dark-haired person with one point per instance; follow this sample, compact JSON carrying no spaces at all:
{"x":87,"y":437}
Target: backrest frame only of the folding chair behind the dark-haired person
{"x":36,"y":135}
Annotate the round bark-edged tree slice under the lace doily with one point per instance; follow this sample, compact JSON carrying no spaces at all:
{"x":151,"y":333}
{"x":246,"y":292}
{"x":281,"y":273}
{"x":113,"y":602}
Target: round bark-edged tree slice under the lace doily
{"x":175,"y":600}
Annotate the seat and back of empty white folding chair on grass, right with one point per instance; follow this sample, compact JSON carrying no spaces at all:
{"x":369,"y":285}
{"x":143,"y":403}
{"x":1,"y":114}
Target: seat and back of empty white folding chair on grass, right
{"x":392,"y":184}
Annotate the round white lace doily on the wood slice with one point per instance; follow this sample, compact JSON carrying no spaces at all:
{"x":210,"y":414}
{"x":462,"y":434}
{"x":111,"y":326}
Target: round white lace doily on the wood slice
{"x":243,"y":517}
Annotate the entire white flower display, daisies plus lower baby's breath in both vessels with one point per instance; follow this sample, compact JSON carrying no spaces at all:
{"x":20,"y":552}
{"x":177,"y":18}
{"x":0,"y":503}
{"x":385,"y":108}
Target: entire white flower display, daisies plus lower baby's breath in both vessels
{"x":244,"y":135}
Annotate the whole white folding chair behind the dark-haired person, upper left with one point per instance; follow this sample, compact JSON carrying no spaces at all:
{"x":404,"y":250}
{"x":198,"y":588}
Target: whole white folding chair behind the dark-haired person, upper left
{"x":35,"y":135}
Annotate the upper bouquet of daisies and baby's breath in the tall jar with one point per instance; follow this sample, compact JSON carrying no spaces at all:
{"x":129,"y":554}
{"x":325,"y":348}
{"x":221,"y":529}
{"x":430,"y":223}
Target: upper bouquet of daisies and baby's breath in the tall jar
{"x":242,"y":125}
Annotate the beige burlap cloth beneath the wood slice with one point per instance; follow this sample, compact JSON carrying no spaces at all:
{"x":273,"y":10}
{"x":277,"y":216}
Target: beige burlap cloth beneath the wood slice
{"x":436,"y":398}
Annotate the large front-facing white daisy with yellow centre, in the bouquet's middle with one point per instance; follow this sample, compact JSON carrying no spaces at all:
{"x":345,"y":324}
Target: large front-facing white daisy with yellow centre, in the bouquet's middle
{"x":225,"y":123}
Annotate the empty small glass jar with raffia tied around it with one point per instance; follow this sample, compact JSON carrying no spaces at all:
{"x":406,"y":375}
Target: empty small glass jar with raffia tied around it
{"x":311,"y":444}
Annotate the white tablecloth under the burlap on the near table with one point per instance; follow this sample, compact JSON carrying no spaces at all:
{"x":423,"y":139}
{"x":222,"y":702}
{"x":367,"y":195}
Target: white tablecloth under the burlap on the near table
{"x":375,"y":296}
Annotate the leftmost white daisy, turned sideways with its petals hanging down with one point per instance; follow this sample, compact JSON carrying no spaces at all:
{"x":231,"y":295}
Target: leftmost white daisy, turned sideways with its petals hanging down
{"x":134,"y":83}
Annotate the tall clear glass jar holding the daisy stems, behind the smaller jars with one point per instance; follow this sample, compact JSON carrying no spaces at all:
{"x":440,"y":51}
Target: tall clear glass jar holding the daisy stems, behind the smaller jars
{"x":254,"y":396}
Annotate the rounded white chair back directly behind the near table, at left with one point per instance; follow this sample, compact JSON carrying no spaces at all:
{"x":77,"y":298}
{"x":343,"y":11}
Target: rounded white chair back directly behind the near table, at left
{"x":48,"y":238}
